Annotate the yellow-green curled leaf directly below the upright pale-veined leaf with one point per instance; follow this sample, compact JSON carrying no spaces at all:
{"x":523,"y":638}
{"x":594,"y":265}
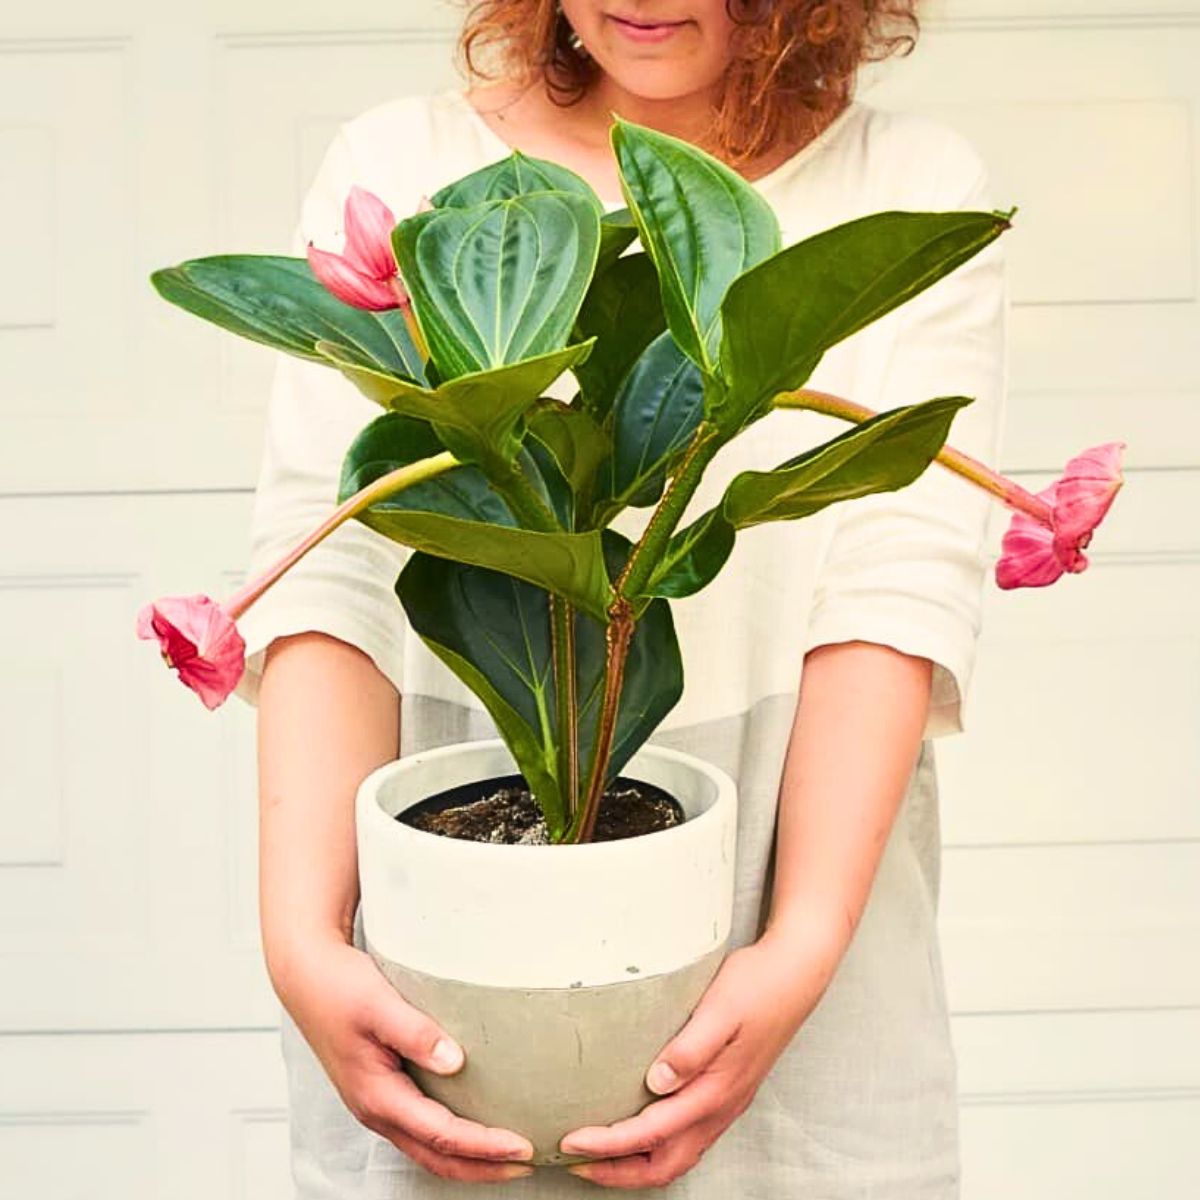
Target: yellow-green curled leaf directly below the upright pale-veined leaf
{"x":477,"y":416}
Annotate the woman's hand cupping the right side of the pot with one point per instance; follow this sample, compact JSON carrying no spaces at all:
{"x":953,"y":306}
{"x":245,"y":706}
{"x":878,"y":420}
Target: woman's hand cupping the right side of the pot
{"x":711,"y":1071}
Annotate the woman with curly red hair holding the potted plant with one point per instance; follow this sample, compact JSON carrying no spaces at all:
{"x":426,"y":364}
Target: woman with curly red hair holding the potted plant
{"x":819,"y":1064}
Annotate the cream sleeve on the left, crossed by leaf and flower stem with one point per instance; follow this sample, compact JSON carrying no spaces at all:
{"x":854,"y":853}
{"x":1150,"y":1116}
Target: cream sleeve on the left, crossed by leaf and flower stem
{"x":346,"y":585}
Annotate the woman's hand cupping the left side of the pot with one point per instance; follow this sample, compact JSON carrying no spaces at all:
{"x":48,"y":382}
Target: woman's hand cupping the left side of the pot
{"x":361,"y":1029}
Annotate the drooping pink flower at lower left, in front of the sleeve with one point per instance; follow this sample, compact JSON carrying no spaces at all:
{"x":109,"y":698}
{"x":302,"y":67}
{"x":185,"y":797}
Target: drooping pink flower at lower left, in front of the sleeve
{"x":197,"y":638}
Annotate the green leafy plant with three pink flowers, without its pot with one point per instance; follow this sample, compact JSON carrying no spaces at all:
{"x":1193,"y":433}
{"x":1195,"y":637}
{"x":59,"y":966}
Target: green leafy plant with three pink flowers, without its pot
{"x":458,"y":319}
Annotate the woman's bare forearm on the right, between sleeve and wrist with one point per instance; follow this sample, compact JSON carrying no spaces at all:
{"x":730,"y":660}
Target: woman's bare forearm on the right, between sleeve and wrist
{"x":855,"y":742}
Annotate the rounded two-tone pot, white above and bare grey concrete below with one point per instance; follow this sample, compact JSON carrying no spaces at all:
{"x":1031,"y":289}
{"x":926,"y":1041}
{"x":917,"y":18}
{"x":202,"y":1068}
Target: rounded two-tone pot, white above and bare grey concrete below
{"x":561,"y":970}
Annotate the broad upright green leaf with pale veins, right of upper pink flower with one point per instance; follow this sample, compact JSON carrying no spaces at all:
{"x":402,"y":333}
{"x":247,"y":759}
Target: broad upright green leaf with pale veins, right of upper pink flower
{"x":501,"y":281}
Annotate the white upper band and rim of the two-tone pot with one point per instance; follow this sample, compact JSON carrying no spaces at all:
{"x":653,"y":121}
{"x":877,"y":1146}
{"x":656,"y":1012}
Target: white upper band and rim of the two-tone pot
{"x":545,"y":916}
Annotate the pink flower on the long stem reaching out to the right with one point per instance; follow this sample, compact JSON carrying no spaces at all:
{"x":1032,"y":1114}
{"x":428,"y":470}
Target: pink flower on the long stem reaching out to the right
{"x":1036,"y":553}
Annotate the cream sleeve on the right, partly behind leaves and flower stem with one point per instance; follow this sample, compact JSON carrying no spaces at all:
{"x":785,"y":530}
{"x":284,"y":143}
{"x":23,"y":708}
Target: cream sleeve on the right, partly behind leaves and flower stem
{"x":907,"y":569}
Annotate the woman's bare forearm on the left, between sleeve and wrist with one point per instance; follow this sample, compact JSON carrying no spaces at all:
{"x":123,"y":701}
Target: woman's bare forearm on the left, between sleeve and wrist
{"x":327,"y":718}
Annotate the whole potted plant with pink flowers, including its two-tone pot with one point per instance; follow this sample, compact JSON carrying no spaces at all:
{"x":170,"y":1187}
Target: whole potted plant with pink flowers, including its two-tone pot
{"x":559,"y":899}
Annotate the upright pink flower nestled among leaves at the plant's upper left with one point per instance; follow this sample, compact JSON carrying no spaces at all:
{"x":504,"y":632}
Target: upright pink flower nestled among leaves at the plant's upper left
{"x":364,"y":275}
